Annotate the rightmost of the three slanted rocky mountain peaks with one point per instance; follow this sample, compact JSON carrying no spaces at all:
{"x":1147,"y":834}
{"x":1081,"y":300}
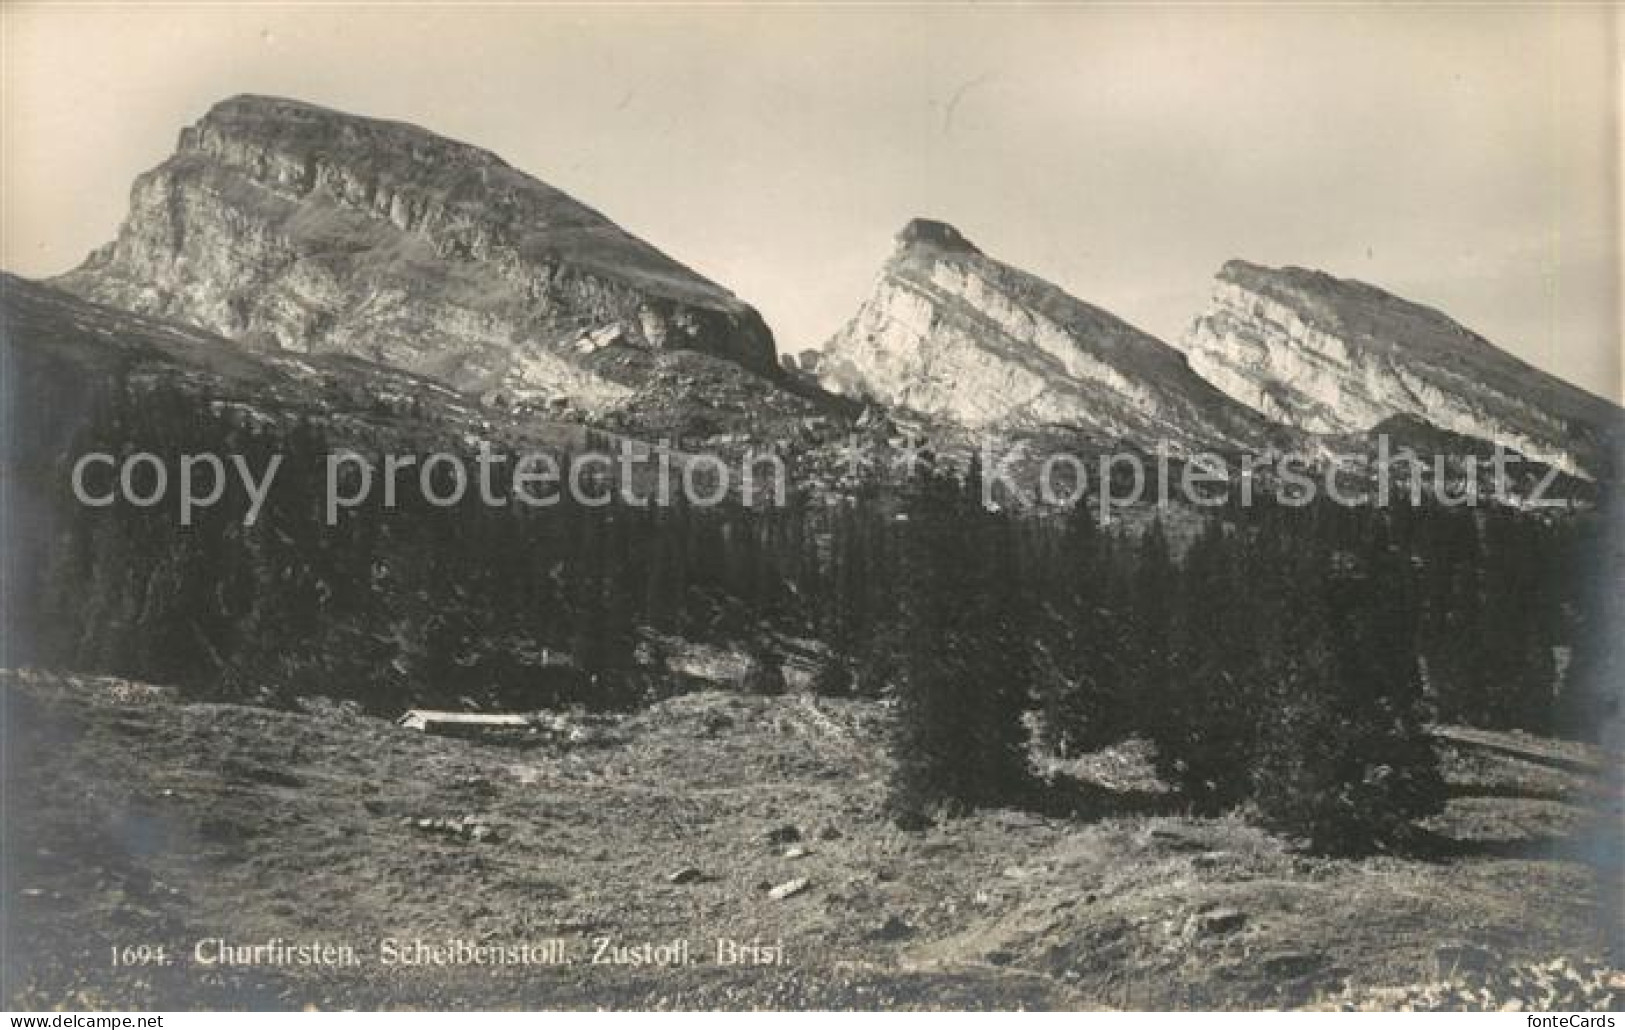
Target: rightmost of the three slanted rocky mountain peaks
{"x":1335,"y":355}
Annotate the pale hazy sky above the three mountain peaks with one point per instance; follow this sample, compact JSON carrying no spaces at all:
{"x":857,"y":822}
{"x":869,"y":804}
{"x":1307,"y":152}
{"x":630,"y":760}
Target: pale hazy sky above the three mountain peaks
{"x":1462,"y":157}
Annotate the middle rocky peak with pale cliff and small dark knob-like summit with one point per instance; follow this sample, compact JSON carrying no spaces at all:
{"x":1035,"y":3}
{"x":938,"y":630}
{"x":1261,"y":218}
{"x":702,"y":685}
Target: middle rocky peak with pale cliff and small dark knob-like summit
{"x":953,"y":334}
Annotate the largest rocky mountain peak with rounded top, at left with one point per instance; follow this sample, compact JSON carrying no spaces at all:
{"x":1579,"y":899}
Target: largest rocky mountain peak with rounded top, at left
{"x":292,"y":227}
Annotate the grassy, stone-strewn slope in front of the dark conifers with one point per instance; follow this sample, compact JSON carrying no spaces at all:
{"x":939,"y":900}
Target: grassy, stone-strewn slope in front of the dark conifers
{"x":132,"y":818}
